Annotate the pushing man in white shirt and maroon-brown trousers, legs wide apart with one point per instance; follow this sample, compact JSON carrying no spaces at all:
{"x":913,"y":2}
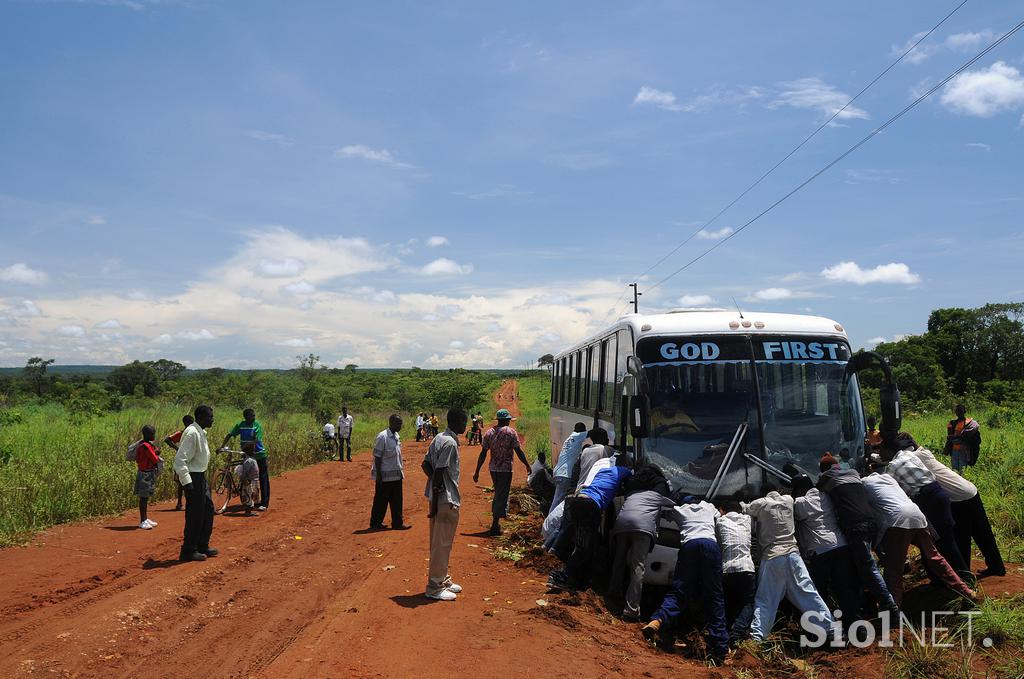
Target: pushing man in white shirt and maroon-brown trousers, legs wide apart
{"x":904,"y":525}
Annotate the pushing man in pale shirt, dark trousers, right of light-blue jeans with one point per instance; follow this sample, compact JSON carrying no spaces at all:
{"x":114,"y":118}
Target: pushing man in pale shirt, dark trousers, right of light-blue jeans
{"x":825,"y":548}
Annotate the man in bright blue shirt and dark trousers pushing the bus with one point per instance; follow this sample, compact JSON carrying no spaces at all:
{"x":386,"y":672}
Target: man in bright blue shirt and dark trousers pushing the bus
{"x":585,"y":510}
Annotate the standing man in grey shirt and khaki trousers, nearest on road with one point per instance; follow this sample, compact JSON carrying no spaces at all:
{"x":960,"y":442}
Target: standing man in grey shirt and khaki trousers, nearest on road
{"x":442,"y":466}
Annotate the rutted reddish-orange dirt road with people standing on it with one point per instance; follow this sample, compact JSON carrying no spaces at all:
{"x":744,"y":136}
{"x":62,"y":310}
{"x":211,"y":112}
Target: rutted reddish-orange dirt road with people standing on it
{"x":297,"y":592}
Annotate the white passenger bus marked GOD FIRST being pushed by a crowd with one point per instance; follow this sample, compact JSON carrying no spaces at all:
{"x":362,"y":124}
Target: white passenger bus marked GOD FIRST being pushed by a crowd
{"x":730,"y":405}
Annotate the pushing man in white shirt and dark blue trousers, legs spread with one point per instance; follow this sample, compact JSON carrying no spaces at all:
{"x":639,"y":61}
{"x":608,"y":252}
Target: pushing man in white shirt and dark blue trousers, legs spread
{"x":698,"y":576}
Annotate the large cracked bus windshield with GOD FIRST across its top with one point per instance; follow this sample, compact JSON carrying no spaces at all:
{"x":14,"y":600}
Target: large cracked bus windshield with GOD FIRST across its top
{"x":703,"y":389}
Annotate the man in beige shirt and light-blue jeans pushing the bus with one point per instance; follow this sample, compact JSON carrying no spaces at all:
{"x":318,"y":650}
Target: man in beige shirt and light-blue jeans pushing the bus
{"x":783,"y":572}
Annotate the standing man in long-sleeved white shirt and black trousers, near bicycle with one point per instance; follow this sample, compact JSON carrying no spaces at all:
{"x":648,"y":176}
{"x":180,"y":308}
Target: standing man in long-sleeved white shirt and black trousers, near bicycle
{"x":190,"y":466}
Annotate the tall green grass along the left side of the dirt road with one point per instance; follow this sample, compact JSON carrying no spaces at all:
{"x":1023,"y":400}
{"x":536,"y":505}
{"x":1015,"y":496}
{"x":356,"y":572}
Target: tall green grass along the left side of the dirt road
{"x":56,"y":468}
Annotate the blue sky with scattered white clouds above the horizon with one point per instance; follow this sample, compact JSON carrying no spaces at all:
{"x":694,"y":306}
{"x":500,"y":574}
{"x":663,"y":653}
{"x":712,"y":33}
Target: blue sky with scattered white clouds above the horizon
{"x":455,"y":184}
